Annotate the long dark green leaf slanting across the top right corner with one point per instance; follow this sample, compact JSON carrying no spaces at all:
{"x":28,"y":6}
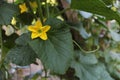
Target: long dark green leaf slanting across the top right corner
{"x":96,"y":7}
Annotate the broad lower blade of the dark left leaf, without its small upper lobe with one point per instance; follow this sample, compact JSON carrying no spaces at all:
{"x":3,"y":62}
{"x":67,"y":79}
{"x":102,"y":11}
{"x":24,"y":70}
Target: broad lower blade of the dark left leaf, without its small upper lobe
{"x":21,"y":55}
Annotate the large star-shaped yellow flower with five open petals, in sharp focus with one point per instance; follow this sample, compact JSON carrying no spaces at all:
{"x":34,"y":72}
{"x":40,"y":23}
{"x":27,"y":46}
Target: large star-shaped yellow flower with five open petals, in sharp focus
{"x":38,"y":30}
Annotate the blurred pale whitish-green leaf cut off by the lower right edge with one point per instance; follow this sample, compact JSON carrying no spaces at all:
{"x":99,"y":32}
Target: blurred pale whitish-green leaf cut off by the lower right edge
{"x":112,"y":59}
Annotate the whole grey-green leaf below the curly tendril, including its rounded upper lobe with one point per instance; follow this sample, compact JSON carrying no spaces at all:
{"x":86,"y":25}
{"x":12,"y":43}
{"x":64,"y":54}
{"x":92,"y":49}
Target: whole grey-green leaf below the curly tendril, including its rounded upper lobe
{"x":85,"y":69}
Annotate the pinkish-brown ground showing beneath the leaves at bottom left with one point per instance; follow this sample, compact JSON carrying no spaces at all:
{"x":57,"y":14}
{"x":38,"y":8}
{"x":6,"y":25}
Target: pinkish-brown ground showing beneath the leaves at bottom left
{"x":19,"y":72}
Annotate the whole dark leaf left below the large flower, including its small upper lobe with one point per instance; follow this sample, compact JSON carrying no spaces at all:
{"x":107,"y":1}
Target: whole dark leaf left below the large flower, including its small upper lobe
{"x":22,"y":54}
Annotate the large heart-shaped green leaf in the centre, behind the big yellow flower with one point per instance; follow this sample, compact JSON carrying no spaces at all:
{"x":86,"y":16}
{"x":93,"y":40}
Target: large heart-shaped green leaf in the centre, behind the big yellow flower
{"x":56,"y":52}
